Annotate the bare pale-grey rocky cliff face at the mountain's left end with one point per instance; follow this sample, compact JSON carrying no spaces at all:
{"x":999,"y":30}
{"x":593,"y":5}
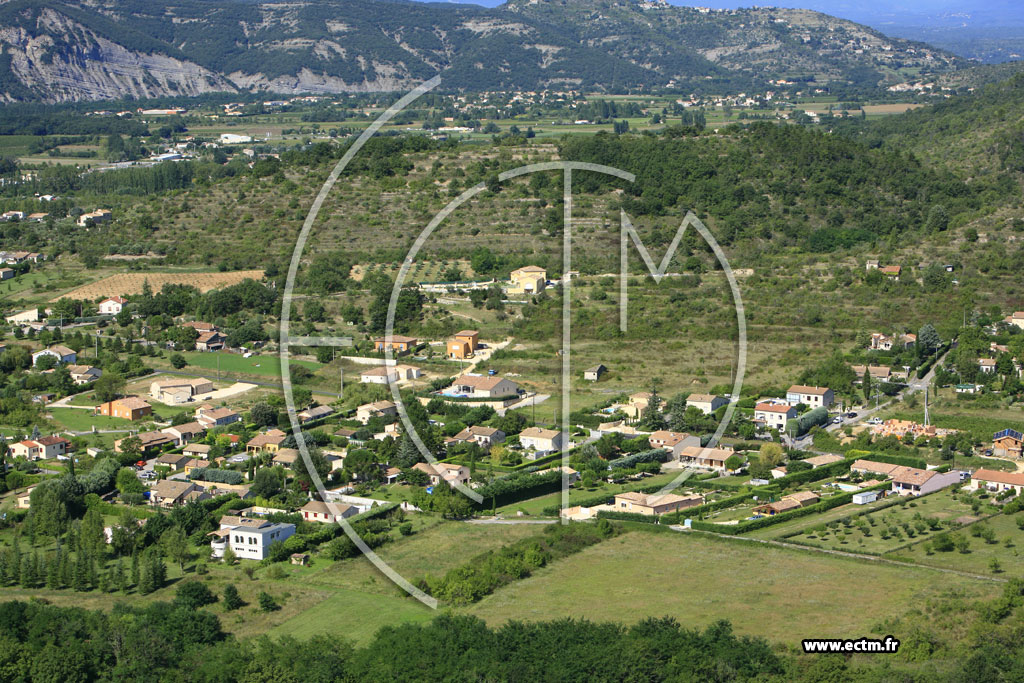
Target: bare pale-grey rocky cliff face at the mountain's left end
{"x":84,"y":65}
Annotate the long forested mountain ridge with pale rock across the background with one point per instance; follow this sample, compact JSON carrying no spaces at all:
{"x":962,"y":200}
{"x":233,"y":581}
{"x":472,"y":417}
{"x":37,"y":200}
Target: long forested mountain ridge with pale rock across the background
{"x":65,"y":52}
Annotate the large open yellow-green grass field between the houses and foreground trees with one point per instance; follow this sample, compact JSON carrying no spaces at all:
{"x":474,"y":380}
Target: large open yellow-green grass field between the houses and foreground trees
{"x":784,"y":595}
